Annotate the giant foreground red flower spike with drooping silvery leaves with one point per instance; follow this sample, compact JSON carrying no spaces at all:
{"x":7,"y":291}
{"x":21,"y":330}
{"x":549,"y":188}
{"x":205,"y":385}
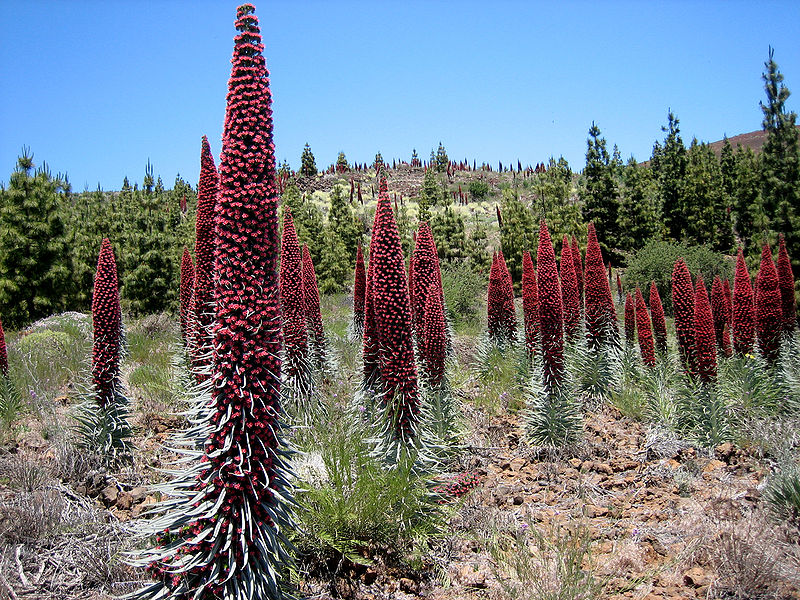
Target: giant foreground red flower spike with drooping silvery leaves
{"x":224,"y":536}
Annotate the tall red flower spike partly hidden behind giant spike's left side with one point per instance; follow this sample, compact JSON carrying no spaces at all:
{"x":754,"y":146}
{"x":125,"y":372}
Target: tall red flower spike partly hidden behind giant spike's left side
{"x":201,"y":314}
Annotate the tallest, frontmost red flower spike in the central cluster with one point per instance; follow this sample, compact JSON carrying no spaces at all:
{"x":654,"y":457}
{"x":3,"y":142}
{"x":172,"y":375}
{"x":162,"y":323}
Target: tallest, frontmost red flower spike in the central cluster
{"x":393,"y":318}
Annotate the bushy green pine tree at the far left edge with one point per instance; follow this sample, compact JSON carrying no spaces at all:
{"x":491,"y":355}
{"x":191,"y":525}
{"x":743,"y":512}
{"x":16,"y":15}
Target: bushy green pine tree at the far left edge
{"x":35,"y":267}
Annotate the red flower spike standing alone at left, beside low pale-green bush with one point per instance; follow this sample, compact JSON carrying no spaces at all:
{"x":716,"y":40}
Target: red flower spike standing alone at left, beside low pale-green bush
{"x":107,"y":324}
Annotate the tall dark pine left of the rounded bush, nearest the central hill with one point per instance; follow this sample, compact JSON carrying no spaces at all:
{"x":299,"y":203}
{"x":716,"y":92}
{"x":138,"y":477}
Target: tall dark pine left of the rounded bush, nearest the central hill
{"x":600,"y":193}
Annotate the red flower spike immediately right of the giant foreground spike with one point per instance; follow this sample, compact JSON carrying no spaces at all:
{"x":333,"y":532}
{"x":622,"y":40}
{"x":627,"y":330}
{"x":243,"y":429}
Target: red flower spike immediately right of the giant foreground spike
{"x":296,"y":359}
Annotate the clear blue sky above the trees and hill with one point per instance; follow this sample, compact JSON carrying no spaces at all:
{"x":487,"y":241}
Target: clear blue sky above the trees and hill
{"x":98,"y":88}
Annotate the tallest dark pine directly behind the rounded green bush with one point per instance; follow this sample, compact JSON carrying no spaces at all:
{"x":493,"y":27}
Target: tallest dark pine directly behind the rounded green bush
{"x":669,"y":165}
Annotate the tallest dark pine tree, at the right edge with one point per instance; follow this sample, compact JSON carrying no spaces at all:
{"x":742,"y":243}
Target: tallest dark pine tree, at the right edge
{"x":780,"y":162}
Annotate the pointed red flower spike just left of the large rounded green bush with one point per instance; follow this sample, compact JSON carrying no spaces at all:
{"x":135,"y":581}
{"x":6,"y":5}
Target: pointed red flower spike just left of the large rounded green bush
{"x":601,"y":317}
